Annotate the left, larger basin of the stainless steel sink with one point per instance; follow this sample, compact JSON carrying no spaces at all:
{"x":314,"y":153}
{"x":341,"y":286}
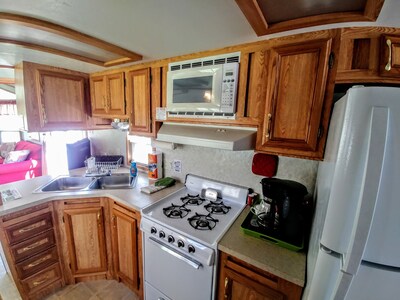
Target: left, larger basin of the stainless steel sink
{"x":66,"y":183}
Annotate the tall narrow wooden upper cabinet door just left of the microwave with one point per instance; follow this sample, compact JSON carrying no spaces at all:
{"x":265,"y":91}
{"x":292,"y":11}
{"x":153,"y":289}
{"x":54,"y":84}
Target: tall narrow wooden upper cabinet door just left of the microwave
{"x":138,"y":94}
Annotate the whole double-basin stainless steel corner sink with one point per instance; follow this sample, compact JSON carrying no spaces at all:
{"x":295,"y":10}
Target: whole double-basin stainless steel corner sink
{"x":69,"y":184}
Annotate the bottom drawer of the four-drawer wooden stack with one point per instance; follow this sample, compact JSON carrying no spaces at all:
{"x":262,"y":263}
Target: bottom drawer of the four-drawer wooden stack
{"x":42,"y":279}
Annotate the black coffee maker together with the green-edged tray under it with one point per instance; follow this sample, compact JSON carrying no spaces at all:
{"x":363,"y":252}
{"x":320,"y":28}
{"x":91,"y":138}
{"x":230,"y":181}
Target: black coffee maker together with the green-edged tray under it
{"x":285,"y":220}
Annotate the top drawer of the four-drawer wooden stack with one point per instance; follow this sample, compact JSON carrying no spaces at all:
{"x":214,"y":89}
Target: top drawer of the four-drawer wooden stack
{"x":24,"y":230}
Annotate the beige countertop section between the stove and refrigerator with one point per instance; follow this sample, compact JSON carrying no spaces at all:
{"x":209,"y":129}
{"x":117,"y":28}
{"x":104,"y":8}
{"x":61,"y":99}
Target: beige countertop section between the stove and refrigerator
{"x":274,"y":259}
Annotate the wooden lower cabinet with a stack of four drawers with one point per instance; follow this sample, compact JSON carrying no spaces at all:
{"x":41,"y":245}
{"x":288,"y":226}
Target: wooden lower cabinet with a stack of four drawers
{"x":30,"y":247}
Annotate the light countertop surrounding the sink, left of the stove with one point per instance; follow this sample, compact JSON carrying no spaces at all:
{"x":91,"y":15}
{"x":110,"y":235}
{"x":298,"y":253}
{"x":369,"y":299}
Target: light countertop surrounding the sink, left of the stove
{"x":131,"y":197}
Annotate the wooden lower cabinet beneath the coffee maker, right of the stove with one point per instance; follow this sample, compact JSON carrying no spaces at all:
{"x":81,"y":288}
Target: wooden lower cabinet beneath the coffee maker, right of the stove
{"x":239,"y":280}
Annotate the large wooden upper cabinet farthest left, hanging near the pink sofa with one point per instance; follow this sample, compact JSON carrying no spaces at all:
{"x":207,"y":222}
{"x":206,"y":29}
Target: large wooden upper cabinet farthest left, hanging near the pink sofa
{"x":51,"y":98}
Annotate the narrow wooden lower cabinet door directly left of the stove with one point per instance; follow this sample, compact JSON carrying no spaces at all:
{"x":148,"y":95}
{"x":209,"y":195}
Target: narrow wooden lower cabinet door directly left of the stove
{"x":126,"y":245}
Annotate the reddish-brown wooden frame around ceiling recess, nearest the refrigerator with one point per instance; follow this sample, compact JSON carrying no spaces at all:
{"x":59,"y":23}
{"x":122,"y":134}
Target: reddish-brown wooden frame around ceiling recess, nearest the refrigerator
{"x":255,"y":17}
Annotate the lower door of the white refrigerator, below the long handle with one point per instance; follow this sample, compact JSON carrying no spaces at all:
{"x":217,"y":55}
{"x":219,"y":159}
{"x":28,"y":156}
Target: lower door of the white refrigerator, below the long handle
{"x":375,"y":282}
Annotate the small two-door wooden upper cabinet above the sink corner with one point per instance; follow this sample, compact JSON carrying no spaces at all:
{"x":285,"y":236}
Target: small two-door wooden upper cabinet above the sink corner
{"x":108,"y":95}
